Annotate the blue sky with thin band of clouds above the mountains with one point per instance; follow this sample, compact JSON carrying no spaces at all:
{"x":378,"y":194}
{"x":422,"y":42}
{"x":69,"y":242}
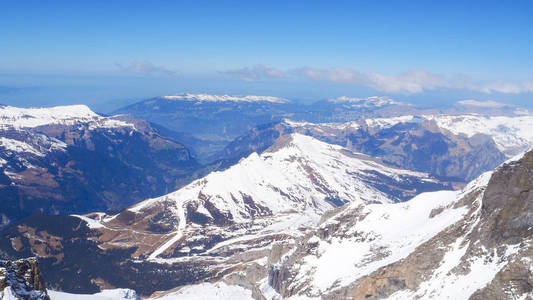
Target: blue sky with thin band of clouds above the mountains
{"x":110,"y":51}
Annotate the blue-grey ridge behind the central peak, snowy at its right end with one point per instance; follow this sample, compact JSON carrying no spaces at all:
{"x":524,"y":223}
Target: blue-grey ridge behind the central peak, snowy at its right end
{"x":453,"y":148}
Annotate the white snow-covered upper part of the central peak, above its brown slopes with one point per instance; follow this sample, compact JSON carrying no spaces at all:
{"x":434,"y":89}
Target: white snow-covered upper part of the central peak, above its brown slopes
{"x":297,"y":173}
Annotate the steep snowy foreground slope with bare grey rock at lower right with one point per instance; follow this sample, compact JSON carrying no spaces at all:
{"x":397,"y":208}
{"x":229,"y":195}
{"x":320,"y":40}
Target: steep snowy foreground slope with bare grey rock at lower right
{"x":469,"y":244}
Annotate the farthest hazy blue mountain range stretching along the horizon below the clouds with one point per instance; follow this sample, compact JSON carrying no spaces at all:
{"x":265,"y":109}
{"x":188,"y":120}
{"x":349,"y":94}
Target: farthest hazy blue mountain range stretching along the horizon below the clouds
{"x":215,"y":120}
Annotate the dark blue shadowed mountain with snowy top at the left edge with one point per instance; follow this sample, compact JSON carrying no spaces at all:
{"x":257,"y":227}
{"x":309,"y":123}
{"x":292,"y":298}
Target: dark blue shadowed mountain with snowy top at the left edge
{"x":71,"y":160}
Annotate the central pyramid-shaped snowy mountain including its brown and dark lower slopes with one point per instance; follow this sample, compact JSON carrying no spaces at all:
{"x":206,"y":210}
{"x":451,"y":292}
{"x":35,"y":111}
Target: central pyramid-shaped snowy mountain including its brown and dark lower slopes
{"x":225,"y":221}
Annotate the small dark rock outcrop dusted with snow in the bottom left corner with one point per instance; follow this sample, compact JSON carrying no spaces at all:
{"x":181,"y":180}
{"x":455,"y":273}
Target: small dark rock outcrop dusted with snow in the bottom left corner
{"x":21,"y":279}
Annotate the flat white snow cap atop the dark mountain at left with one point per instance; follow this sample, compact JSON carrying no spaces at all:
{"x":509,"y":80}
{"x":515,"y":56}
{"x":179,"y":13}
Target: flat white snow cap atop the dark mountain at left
{"x":15,"y":117}
